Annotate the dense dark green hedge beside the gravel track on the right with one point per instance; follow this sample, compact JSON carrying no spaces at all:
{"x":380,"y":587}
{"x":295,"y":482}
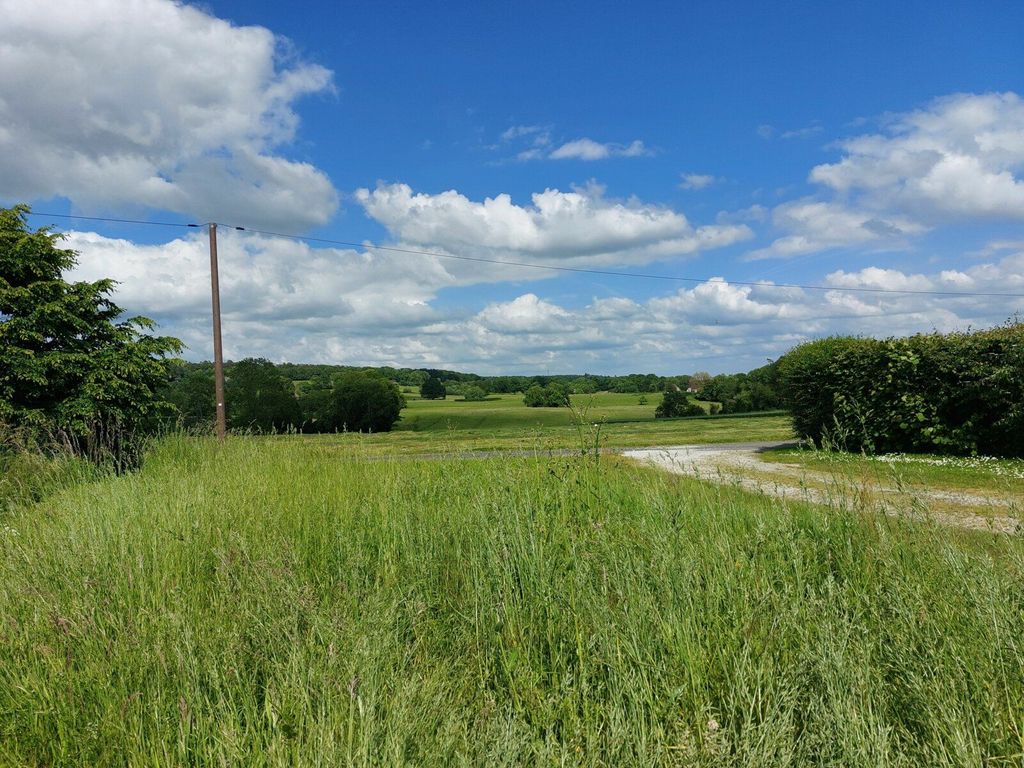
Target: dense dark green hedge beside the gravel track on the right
{"x":955,"y":394}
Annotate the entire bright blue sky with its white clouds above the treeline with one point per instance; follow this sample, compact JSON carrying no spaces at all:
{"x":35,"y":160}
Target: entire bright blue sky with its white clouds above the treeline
{"x":849,"y":146}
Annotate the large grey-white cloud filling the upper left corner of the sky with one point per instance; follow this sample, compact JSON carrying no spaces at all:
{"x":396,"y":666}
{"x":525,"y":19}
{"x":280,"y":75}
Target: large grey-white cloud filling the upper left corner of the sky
{"x":155,"y":104}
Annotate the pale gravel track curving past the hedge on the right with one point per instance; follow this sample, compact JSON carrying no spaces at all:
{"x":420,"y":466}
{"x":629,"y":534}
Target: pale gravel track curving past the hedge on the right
{"x":740,"y":465}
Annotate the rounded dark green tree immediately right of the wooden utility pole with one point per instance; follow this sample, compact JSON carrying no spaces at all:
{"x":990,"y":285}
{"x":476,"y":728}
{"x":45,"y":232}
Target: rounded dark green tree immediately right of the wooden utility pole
{"x":259,"y":398}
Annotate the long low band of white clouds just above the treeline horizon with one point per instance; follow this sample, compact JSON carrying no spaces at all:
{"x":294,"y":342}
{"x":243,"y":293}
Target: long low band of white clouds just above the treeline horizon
{"x":285,"y":301}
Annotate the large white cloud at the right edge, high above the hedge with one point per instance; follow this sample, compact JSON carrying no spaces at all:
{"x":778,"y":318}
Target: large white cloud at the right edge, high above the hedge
{"x":958,"y":160}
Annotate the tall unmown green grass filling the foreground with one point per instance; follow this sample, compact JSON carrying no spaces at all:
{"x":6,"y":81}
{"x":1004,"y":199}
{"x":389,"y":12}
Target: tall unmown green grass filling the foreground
{"x":268,"y":603}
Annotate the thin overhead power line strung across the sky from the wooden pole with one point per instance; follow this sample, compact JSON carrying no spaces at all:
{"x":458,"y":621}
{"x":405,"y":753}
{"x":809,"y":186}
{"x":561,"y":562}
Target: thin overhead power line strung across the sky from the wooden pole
{"x":573,"y":270}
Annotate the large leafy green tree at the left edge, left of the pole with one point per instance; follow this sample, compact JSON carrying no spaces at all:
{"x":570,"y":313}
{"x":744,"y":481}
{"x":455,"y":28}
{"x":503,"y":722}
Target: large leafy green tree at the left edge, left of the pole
{"x":72,"y":370}
